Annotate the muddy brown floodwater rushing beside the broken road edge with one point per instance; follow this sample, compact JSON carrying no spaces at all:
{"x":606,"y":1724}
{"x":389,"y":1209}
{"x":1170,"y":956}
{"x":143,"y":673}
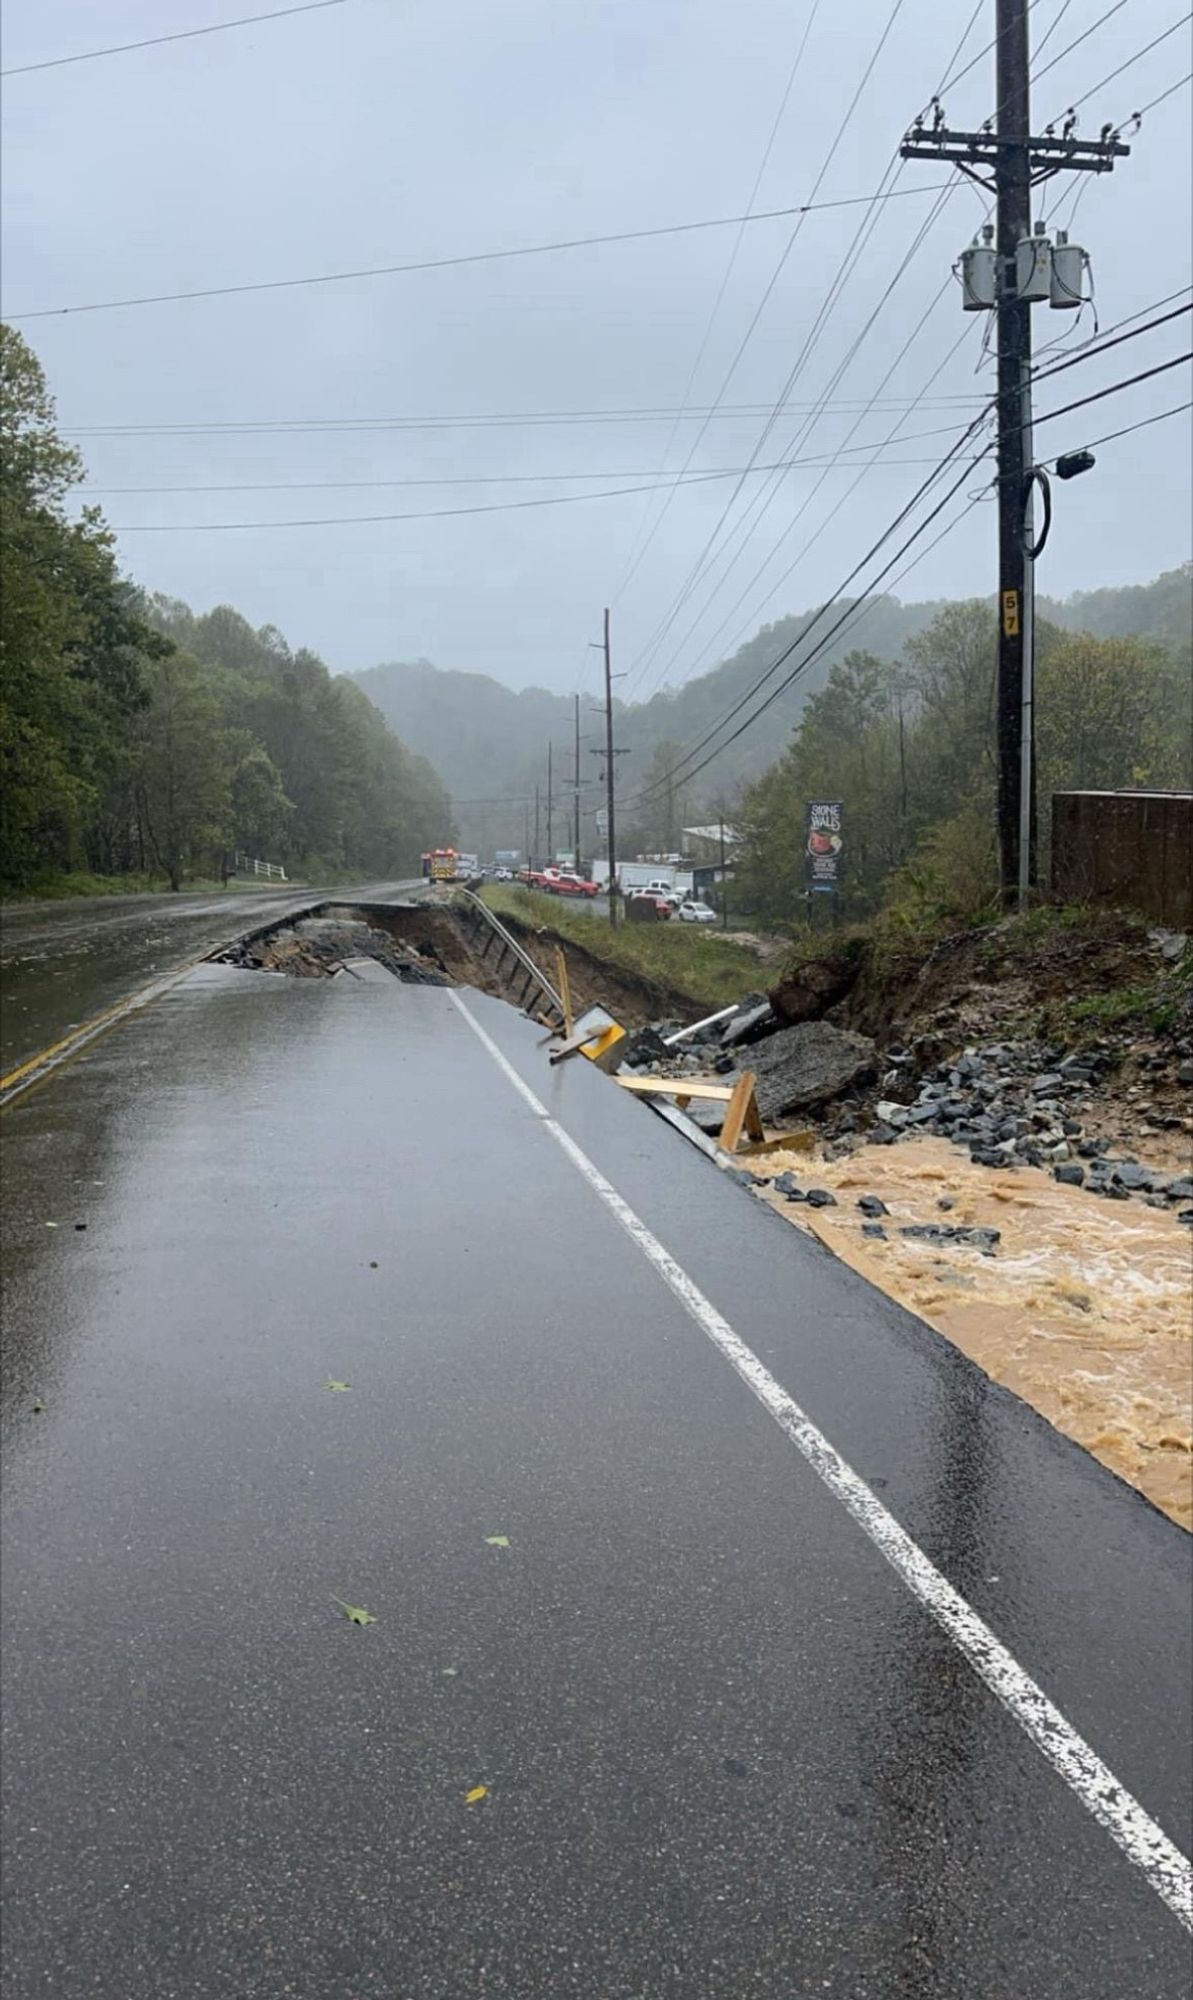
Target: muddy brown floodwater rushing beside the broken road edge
{"x":1086,"y":1311}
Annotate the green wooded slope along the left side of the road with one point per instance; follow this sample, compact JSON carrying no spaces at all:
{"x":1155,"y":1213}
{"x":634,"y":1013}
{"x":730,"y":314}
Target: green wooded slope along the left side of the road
{"x":141,"y":739}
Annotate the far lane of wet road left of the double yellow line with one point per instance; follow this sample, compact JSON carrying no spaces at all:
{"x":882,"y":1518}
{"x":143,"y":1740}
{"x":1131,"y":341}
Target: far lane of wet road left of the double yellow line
{"x":63,"y":963}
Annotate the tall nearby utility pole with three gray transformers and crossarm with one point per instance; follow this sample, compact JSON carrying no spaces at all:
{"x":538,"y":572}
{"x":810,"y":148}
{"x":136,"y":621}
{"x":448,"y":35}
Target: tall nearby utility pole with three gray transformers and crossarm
{"x":1020,"y":271}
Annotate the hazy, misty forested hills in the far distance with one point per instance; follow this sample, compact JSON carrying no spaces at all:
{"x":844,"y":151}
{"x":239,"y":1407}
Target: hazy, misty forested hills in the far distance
{"x":489,"y":741}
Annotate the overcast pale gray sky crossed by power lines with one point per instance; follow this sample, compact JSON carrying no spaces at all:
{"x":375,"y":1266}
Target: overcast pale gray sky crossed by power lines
{"x":391,"y":131}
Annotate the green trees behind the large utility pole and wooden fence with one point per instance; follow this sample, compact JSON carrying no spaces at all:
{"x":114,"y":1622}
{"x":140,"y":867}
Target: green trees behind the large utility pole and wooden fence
{"x":910,"y":749}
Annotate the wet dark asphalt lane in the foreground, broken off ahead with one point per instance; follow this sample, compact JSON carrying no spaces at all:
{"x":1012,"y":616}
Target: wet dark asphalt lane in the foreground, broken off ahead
{"x":728,"y":1753}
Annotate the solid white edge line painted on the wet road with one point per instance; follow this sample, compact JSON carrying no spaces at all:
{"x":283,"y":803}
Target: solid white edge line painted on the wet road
{"x":1086,"y":1775}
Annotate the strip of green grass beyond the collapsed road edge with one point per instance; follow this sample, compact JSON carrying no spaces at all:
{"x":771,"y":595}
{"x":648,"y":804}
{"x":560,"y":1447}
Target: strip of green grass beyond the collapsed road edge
{"x":688,"y":957}
